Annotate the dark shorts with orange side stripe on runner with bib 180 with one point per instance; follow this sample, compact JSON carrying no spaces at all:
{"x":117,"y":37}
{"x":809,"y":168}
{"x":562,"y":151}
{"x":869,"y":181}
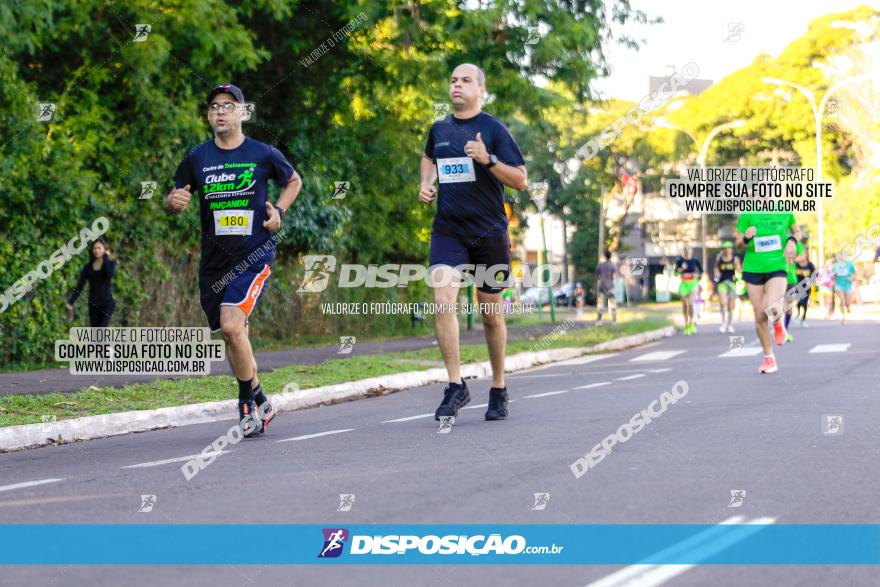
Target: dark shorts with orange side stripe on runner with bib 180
{"x":239,"y":288}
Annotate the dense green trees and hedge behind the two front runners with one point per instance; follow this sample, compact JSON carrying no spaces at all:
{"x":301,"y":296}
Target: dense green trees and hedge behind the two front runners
{"x":128,"y":111}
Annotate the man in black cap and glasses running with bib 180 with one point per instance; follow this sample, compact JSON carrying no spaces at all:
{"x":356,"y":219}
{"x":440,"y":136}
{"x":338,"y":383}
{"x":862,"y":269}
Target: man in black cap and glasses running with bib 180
{"x":232,"y":172}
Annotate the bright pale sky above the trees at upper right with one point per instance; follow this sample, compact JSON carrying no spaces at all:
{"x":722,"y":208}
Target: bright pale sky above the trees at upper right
{"x":699,"y":32}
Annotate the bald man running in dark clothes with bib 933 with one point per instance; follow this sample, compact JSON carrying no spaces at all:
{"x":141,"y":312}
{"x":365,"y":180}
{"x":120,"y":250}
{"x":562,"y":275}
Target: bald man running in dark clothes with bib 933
{"x":474,"y":157}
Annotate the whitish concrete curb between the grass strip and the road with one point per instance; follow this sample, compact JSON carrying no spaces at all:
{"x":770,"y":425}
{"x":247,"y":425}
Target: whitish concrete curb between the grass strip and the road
{"x":91,"y":427}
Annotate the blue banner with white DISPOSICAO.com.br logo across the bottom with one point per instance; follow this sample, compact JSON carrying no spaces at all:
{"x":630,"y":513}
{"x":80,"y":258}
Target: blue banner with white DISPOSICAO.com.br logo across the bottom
{"x":287,"y":544}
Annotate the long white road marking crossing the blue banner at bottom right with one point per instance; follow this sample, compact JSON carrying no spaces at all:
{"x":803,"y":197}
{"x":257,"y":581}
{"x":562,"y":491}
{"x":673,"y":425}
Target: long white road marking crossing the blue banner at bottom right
{"x":704,"y":545}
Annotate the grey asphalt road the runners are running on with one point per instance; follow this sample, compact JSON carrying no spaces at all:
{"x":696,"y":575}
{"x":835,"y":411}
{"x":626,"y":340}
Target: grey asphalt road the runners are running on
{"x":734,"y":430}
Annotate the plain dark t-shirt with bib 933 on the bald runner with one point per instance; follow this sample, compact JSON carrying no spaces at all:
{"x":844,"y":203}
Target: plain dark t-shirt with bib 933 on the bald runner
{"x":471,"y":200}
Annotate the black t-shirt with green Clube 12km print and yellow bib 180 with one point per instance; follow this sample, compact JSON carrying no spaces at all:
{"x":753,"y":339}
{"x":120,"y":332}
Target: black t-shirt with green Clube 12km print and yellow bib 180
{"x":233,"y":186}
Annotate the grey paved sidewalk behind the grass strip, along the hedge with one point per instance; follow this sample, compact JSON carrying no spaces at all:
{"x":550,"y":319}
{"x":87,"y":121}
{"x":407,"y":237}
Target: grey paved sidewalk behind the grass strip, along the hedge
{"x":60,"y":380}
